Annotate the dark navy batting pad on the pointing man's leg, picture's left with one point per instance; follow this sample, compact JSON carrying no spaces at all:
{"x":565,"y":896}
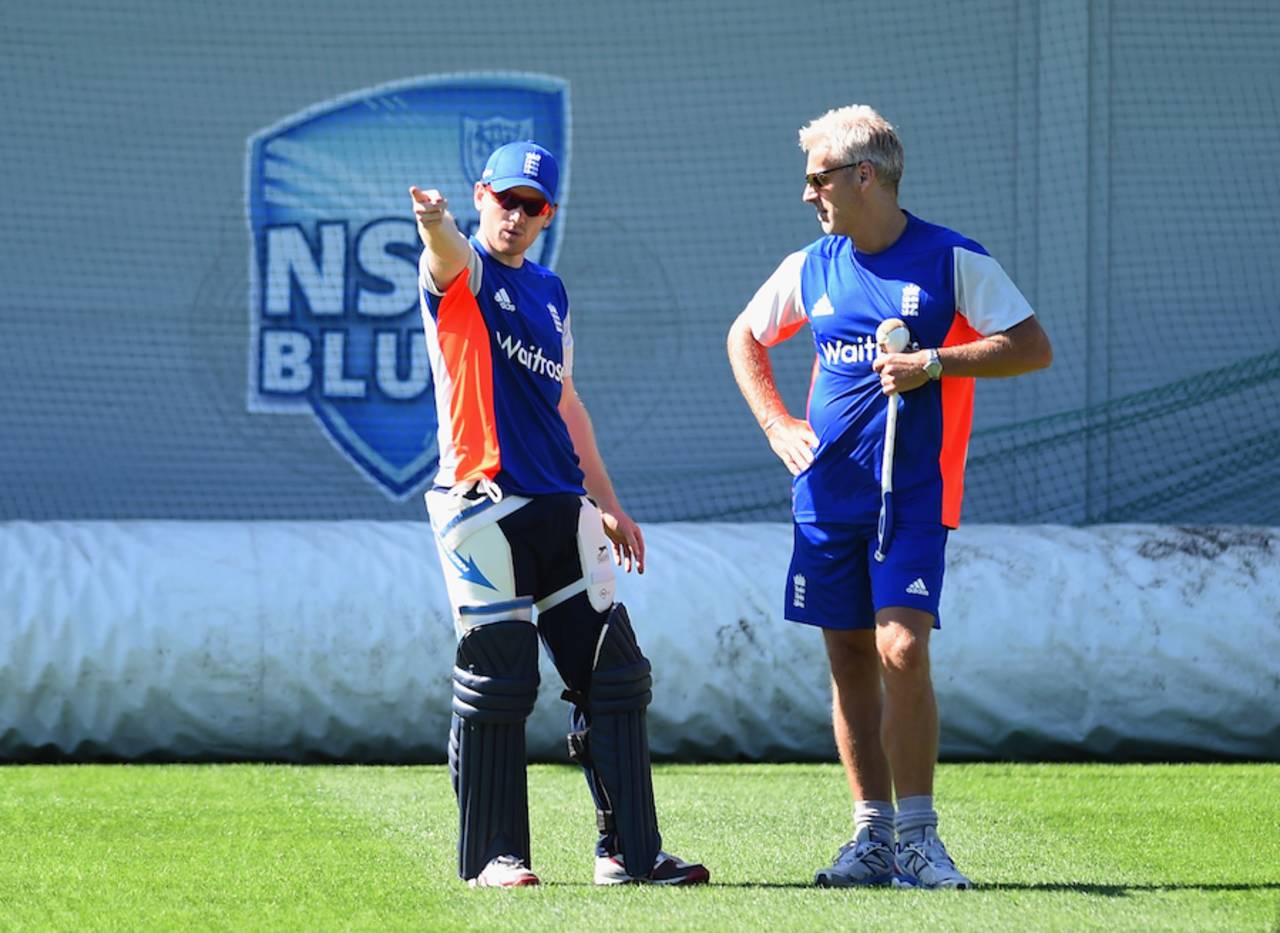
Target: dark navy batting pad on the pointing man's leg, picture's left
{"x":495,"y":690}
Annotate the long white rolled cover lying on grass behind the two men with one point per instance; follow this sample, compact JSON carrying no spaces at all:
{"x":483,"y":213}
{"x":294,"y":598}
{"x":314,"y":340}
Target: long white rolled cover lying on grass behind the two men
{"x":303,"y":641}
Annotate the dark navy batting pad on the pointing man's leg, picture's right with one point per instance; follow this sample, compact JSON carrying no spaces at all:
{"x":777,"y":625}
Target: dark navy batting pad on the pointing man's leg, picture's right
{"x":615,"y":747}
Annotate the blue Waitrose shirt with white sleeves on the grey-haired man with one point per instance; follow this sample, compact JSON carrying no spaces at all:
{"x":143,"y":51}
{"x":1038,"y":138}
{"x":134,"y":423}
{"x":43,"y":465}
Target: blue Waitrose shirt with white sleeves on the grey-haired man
{"x":948,"y":291}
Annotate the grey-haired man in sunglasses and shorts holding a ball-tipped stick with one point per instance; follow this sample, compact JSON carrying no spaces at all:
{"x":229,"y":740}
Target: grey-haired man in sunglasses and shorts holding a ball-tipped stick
{"x":871,"y":514}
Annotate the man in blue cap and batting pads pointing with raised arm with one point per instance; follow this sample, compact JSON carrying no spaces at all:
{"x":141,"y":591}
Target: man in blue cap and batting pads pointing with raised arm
{"x":527,"y":523}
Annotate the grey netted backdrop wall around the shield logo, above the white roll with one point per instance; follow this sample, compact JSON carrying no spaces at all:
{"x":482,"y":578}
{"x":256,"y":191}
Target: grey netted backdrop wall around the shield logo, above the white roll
{"x":1118,"y":158}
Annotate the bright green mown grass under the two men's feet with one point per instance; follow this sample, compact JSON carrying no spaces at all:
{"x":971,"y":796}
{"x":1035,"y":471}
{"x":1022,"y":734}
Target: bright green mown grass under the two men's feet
{"x":324,"y":848}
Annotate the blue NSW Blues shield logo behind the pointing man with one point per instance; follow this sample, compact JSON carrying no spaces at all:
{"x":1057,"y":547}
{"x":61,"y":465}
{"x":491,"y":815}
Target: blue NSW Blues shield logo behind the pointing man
{"x":335,"y":323}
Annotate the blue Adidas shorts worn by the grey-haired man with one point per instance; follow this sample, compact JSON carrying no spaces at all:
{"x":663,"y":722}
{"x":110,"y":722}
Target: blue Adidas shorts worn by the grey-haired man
{"x":835,"y":580}
